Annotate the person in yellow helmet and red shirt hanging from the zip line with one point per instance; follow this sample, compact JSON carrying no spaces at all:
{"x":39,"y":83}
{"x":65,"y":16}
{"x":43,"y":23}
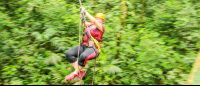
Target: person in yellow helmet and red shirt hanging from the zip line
{"x":86,"y":52}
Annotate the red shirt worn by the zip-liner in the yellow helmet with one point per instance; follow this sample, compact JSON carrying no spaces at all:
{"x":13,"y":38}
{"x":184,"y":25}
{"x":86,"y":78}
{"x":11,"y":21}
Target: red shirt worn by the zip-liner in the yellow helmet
{"x":95,"y":32}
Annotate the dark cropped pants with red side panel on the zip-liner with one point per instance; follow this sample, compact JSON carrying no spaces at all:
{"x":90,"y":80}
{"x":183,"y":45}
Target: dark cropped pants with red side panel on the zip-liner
{"x":85,"y":53}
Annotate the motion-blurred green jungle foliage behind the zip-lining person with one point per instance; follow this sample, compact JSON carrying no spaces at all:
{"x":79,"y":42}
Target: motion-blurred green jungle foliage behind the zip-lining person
{"x":146,"y":42}
